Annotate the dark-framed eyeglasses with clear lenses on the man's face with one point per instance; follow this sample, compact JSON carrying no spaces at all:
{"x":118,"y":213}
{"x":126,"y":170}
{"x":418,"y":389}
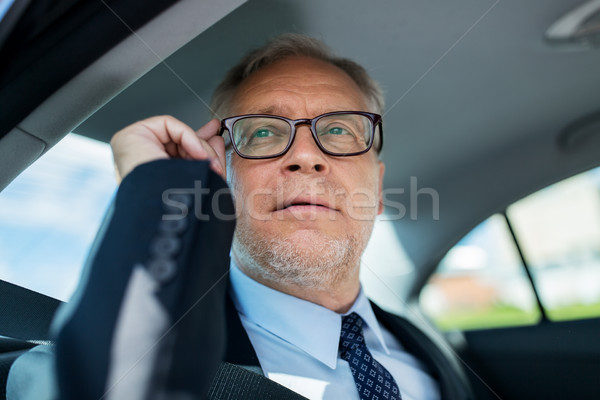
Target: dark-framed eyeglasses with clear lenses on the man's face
{"x":341,"y":133}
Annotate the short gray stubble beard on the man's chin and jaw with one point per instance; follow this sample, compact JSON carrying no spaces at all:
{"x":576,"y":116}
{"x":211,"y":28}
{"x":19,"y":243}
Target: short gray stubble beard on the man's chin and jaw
{"x":281,"y":260}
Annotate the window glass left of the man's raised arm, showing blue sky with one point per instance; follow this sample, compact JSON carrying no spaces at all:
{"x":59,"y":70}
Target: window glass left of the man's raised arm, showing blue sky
{"x":49,"y":215}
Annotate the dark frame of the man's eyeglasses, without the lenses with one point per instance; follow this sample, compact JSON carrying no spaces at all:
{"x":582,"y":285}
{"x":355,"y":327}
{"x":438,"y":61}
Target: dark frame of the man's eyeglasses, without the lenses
{"x":376,"y":120}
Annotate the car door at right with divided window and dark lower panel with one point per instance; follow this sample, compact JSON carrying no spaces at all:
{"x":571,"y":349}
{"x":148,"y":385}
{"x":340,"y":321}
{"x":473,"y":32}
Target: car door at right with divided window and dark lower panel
{"x":520,"y":295}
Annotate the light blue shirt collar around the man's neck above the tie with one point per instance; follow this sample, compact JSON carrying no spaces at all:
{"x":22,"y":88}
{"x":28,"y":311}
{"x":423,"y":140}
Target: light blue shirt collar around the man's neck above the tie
{"x":308,"y":326}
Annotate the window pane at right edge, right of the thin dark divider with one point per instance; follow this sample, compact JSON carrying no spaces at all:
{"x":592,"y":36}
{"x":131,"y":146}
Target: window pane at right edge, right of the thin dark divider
{"x":558,"y":229}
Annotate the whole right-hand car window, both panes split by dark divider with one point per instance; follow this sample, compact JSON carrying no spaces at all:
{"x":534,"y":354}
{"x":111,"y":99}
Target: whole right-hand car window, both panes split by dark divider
{"x":541,"y":258}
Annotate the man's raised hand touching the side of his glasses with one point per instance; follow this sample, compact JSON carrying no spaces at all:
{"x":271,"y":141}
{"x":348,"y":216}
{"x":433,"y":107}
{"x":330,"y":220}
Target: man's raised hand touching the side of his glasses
{"x":166,"y":137}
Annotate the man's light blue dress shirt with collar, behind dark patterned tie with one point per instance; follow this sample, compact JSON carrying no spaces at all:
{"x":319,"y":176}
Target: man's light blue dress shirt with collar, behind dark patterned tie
{"x":296,"y":342}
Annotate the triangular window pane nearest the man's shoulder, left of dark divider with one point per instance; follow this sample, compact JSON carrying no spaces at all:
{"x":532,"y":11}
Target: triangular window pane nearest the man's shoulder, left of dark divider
{"x":481,"y":283}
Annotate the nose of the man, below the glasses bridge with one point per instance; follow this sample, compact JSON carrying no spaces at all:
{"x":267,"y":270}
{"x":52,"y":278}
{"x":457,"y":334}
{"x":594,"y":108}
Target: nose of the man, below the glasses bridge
{"x":305,"y":155}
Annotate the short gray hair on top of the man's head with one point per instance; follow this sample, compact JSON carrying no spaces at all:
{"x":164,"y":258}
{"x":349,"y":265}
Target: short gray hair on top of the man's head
{"x":289,"y":45}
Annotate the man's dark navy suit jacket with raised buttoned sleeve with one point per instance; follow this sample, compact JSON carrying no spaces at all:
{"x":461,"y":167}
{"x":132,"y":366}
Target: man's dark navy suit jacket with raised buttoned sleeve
{"x":161,"y":262}
